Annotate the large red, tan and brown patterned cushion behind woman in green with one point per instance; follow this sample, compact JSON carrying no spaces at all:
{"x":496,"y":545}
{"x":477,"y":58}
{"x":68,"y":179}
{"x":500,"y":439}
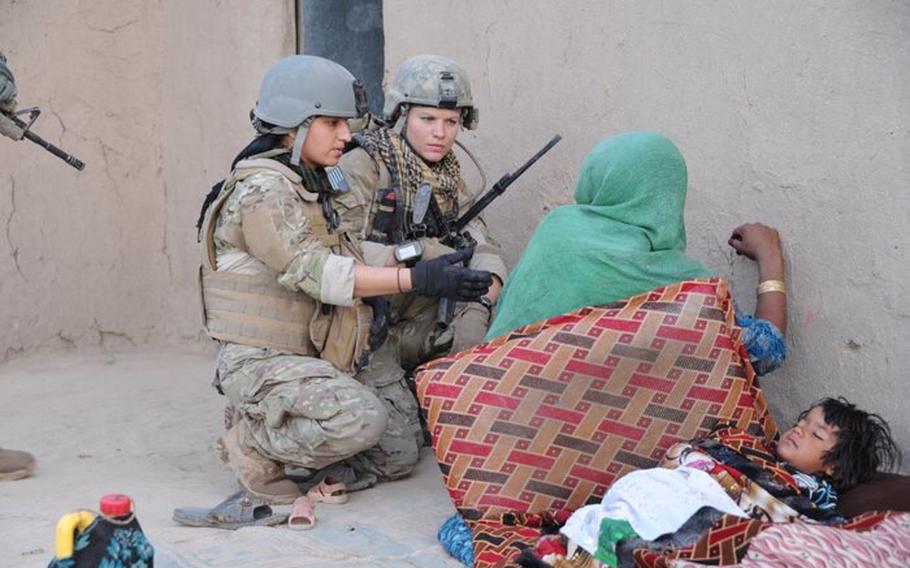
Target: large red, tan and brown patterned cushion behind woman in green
{"x":547,"y":417}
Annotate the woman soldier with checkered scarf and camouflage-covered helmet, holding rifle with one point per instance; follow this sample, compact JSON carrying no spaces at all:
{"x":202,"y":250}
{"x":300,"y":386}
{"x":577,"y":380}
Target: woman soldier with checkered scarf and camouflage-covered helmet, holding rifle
{"x":391,"y":176}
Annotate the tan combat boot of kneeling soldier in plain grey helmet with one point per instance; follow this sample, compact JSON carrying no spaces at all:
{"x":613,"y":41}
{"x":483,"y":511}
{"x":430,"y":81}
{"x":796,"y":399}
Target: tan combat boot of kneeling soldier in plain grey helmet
{"x":257,"y":474}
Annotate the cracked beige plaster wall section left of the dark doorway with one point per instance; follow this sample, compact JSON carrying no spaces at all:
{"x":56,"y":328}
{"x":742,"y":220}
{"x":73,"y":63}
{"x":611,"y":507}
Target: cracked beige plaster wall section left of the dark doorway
{"x":153,"y":96}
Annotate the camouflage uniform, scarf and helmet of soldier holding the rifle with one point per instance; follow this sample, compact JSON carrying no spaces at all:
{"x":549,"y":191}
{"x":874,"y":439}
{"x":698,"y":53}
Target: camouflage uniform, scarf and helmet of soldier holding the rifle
{"x":385,"y":161}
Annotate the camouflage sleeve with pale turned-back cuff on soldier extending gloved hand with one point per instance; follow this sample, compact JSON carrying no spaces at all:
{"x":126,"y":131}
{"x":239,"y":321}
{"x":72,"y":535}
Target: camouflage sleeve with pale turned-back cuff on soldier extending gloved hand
{"x":277,"y":232}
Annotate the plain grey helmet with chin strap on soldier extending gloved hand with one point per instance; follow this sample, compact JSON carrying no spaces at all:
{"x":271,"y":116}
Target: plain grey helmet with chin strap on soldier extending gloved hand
{"x":299,"y":87}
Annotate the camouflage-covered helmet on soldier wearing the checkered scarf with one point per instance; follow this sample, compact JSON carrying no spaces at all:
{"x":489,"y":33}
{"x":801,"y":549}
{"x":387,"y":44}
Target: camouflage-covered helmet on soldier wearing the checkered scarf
{"x":430,"y":80}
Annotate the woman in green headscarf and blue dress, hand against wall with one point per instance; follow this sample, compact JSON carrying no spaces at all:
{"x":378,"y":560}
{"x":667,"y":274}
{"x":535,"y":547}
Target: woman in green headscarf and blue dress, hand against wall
{"x":626,"y":235}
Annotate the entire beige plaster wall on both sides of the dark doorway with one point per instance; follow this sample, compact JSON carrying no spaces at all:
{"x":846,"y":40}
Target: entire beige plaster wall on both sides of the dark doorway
{"x":794,"y":114}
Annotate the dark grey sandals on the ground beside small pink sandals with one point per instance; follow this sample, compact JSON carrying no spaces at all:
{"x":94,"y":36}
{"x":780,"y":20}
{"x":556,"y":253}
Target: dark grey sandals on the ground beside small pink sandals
{"x":239,"y":510}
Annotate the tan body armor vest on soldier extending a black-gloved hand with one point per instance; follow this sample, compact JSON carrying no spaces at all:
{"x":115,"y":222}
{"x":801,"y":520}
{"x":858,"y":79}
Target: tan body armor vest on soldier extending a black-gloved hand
{"x":253,"y":309}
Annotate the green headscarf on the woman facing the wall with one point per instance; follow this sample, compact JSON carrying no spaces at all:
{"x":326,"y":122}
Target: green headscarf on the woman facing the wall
{"x":625,"y":235}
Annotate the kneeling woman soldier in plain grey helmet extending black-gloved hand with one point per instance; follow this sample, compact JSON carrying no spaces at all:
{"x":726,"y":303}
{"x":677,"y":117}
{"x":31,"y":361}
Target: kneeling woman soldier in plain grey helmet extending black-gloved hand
{"x":282,"y":286}
